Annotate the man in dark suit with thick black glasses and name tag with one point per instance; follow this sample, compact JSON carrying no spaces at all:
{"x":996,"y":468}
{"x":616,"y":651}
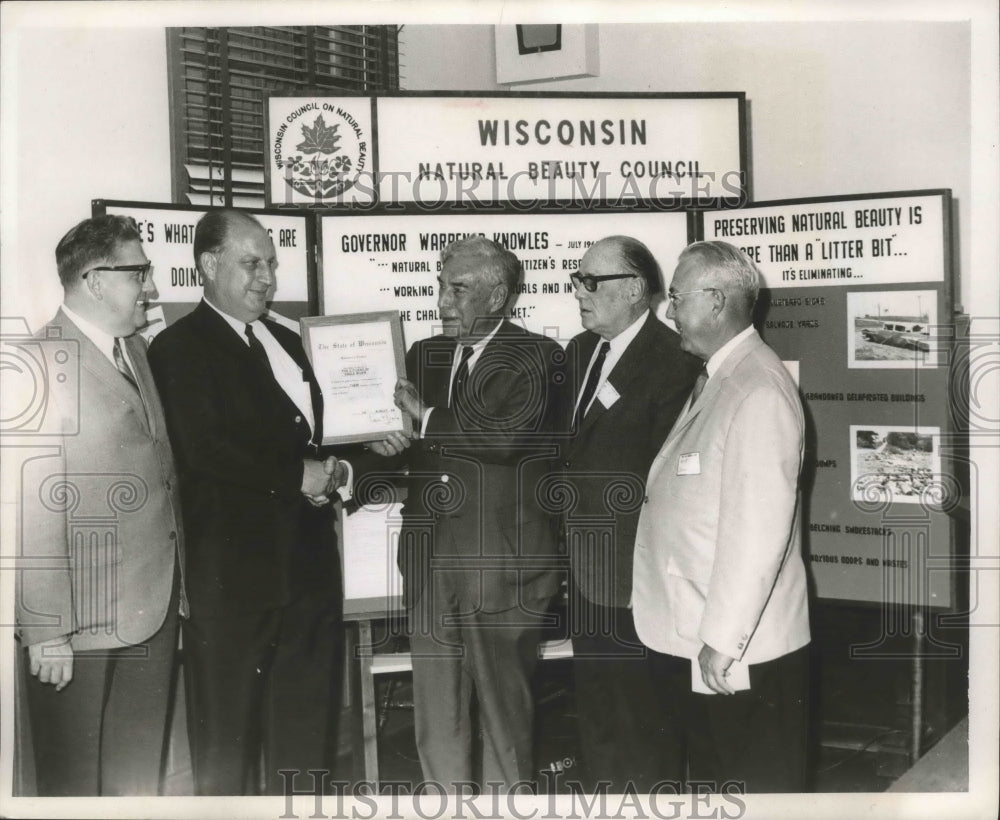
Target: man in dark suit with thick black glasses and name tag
{"x":631,"y":379}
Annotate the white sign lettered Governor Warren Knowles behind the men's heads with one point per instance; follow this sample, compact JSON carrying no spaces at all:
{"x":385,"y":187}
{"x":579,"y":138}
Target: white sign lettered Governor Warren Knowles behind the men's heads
{"x":391,"y":262}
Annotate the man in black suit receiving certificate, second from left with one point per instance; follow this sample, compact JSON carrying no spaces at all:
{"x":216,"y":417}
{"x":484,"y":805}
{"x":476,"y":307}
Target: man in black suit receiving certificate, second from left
{"x":261,"y":649}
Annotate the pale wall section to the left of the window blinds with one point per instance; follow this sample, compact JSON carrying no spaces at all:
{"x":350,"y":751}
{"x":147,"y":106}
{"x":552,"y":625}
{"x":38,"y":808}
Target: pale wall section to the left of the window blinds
{"x":86,"y":116}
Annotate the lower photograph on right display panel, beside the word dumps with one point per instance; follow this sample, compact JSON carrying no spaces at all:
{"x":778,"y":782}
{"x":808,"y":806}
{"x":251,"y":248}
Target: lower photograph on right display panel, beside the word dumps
{"x":895,"y":464}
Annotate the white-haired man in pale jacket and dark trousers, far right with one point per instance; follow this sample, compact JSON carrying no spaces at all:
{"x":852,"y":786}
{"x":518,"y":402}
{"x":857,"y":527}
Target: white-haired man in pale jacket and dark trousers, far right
{"x":719,"y":581}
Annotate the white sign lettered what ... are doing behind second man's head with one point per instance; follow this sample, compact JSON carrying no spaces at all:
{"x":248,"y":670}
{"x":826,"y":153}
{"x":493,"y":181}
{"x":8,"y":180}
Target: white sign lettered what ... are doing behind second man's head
{"x":167,"y":233}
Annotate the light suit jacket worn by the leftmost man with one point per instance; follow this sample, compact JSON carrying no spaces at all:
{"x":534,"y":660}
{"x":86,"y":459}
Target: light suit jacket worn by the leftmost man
{"x":100,"y":525}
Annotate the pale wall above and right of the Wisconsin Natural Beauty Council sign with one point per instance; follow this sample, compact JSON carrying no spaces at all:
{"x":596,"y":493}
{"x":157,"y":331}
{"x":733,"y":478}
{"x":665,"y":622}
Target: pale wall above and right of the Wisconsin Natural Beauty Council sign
{"x":834,"y":107}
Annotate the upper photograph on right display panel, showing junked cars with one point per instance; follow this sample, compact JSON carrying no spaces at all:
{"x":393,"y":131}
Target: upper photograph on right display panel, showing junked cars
{"x":892,"y":329}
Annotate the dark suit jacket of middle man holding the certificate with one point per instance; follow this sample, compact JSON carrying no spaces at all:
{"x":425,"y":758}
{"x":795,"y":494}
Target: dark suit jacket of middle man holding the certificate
{"x":474,"y":493}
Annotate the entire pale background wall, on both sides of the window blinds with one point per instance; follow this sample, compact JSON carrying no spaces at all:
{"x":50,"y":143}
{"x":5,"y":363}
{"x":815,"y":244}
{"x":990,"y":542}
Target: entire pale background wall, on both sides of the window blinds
{"x":836,"y":108}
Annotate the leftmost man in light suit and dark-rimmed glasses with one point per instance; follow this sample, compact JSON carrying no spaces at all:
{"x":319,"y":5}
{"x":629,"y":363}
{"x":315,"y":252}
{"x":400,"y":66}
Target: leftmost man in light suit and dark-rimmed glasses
{"x":99,"y":597}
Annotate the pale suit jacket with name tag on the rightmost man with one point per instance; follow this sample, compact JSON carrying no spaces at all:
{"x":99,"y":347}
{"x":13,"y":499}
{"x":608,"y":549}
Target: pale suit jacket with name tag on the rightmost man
{"x":718,"y":550}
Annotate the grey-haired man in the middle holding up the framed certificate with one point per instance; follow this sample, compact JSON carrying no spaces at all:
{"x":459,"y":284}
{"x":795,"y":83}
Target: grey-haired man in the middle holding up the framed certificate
{"x":477,"y":549}
